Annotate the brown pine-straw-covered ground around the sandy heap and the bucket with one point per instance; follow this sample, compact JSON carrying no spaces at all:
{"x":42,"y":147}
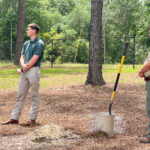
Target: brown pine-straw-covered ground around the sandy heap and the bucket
{"x":70,"y":107}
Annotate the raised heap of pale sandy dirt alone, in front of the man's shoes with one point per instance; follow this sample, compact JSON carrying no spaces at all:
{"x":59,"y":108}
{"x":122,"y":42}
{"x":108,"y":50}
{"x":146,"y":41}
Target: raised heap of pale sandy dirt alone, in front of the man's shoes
{"x":53,"y":134}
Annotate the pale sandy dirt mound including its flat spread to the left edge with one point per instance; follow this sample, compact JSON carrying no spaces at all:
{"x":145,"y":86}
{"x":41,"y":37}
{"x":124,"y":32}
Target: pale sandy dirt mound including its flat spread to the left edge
{"x":43,"y":138}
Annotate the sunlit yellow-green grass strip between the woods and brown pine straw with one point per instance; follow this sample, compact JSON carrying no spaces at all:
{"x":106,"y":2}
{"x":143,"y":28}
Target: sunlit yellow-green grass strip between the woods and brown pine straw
{"x":67,"y":74}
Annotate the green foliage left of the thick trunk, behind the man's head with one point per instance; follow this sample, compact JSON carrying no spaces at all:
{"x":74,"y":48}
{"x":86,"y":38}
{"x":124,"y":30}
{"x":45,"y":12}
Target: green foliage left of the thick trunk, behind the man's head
{"x":58,"y":19}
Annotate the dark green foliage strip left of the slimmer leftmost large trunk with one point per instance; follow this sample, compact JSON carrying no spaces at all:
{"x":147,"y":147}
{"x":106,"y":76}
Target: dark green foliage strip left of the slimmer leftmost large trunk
{"x":8,"y":15}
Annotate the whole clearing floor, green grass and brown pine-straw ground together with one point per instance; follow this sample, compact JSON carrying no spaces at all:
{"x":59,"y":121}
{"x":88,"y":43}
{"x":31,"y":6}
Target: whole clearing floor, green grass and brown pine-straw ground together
{"x":66,"y":104}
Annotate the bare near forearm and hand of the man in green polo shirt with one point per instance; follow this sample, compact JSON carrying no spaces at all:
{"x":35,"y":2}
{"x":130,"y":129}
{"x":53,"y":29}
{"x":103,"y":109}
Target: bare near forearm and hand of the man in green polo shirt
{"x":31,"y":63}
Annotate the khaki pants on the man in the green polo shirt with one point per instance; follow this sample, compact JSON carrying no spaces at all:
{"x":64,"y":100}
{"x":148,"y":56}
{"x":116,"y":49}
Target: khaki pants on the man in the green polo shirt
{"x":29,"y":79}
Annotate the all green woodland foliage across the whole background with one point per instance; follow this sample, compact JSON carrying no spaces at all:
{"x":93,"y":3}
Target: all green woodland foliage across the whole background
{"x":63,"y":19}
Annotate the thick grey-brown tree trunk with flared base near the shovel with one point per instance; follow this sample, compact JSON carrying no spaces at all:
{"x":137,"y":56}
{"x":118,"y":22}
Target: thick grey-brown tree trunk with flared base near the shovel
{"x":95,"y":63}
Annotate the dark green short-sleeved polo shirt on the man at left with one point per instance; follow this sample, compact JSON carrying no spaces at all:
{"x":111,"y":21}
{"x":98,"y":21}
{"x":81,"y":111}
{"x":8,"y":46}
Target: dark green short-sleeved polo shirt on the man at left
{"x":30,"y":48}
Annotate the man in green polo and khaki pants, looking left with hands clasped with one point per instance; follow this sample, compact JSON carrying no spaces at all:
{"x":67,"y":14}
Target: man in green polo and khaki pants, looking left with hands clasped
{"x":31,"y":56}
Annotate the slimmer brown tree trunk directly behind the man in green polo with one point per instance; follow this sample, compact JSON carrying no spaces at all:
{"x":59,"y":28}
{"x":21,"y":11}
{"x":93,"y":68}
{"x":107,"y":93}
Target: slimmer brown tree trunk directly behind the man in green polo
{"x":20,"y":31}
